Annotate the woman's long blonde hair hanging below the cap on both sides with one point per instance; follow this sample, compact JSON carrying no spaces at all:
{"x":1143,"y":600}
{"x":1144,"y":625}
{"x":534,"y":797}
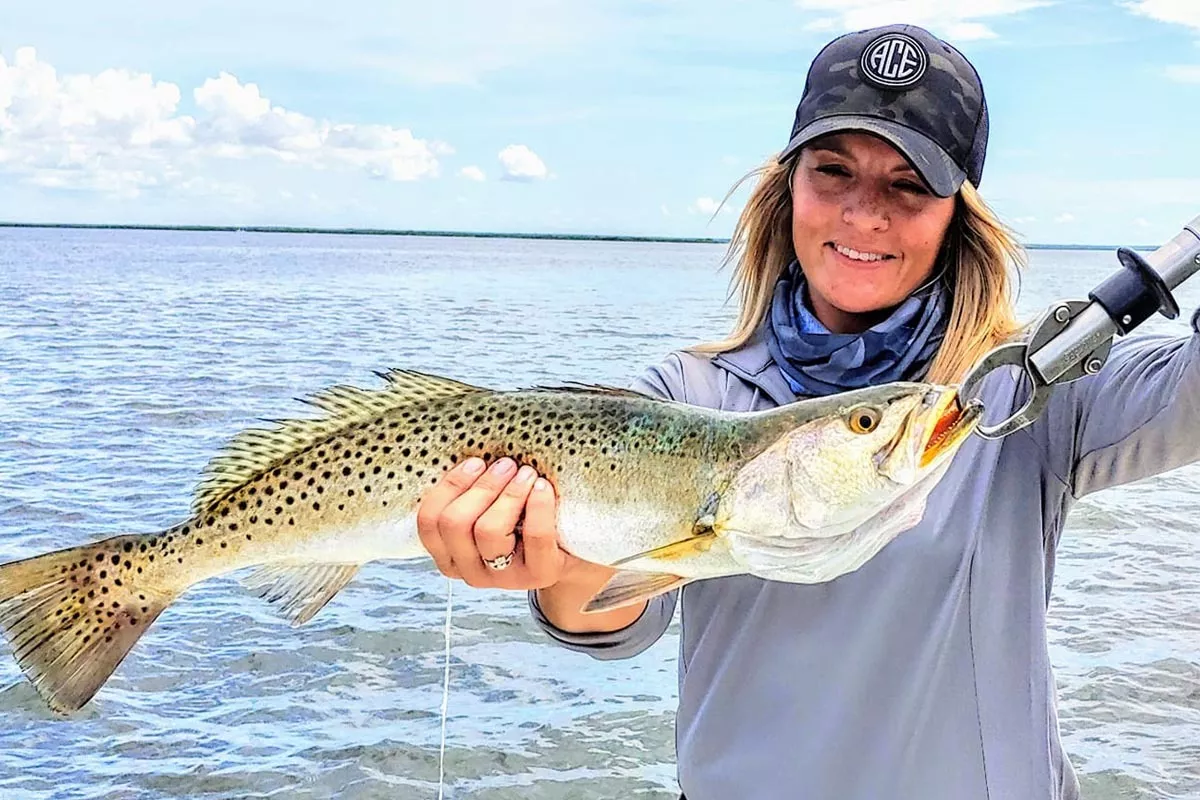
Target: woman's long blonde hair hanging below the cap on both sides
{"x":979,"y":261}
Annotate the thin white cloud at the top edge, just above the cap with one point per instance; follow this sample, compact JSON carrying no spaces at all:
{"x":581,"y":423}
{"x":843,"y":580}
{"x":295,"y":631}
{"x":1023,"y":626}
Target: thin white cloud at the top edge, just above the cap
{"x":955,"y":20}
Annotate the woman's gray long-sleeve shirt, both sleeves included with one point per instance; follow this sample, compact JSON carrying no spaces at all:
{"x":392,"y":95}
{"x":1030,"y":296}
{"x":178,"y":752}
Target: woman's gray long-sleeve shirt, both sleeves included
{"x":926,"y":673}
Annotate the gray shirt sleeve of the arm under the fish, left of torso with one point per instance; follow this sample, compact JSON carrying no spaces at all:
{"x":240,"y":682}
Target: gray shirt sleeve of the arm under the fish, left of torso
{"x":667,"y":382}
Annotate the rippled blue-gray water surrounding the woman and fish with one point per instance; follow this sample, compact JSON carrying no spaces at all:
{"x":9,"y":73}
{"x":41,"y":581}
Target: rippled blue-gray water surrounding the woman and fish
{"x":129,"y":358}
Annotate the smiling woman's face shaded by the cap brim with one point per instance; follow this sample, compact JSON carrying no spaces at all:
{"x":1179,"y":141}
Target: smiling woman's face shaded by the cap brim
{"x":866,"y":228}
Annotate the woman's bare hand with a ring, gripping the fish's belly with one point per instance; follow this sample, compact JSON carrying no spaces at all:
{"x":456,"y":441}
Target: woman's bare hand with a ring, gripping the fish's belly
{"x":470,"y":516}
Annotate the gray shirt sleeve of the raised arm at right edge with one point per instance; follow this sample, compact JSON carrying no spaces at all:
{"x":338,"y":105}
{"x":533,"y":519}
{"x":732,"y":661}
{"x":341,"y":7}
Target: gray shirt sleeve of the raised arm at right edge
{"x":1139,"y":417}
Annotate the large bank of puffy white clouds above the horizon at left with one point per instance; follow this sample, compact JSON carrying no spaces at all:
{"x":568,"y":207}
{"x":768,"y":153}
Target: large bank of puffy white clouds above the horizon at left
{"x":121,"y":133}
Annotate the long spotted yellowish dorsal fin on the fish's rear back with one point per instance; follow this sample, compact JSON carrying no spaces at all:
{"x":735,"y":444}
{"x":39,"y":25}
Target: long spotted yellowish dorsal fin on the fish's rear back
{"x":257,"y":450}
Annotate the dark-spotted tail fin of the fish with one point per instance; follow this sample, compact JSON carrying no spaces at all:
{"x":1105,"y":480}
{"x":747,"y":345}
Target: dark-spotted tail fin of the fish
{"x":74,"y":615}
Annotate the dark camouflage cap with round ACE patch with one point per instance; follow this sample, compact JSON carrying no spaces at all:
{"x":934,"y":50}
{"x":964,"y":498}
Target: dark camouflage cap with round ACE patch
{"x":908,"y":87}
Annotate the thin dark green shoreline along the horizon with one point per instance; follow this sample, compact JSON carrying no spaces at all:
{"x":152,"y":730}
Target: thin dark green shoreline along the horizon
{"x":452,"y":234}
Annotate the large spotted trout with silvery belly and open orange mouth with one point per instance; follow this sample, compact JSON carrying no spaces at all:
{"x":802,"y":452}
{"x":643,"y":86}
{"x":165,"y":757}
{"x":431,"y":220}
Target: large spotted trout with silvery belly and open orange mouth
{"x":664,"y":492}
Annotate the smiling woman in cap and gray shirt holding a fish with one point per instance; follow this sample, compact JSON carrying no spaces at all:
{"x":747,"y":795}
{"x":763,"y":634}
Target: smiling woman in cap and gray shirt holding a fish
{"x":866,"y":256}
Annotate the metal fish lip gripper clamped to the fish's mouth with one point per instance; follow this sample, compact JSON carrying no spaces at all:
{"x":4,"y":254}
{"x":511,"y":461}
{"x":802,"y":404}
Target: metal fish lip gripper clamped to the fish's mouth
{"x":1073,"y":338}
